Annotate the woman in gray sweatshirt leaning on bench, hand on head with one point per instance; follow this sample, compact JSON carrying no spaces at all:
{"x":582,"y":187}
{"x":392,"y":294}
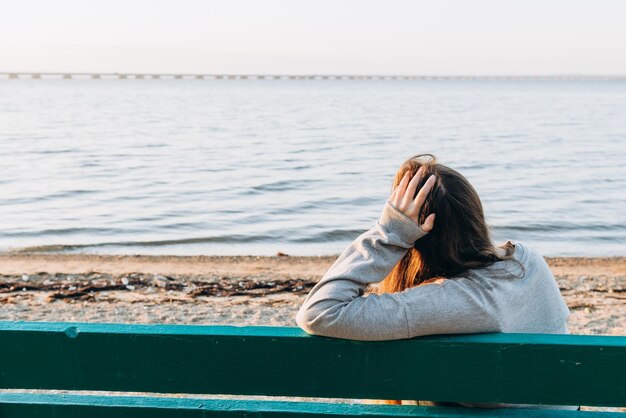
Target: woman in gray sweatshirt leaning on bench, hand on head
{"x":429,"y":267}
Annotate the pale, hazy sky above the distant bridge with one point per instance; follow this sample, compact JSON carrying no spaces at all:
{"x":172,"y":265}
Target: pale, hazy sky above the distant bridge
{"x":475,"y":37}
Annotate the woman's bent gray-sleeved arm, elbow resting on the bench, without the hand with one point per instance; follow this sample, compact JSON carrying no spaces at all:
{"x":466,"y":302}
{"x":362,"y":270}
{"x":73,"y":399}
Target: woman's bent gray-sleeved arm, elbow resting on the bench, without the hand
{"x":336,"y":306}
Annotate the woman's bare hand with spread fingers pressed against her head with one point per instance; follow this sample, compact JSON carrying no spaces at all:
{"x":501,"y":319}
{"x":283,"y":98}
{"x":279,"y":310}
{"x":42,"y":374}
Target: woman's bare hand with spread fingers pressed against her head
{"x":401,"y":198}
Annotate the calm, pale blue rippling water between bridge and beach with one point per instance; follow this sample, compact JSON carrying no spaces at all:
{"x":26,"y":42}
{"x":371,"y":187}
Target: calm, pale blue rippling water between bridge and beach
{"x":301,"y":166}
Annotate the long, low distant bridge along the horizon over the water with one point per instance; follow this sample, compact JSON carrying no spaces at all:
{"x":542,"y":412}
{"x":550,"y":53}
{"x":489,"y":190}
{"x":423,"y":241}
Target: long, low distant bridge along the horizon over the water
{"x":192,"y":76}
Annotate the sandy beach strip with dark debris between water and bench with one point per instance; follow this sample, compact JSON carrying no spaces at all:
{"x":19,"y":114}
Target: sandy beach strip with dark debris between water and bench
{"x":239,"y":290}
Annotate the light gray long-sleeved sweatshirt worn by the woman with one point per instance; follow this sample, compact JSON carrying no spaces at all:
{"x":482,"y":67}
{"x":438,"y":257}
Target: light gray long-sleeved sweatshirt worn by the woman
{"x":498,"y":298}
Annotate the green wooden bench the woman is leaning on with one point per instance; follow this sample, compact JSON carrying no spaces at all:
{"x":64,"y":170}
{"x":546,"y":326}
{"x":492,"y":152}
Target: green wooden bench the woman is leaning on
{"x":286,"y":362}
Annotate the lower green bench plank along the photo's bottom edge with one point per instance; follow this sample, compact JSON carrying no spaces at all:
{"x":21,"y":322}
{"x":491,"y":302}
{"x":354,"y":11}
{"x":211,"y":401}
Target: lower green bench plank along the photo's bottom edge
{"x":23,"y":405}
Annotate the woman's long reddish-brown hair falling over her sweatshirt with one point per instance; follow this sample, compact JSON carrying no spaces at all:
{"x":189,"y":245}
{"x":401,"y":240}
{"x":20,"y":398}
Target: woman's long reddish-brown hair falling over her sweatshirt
{"x":460,"y":239}
